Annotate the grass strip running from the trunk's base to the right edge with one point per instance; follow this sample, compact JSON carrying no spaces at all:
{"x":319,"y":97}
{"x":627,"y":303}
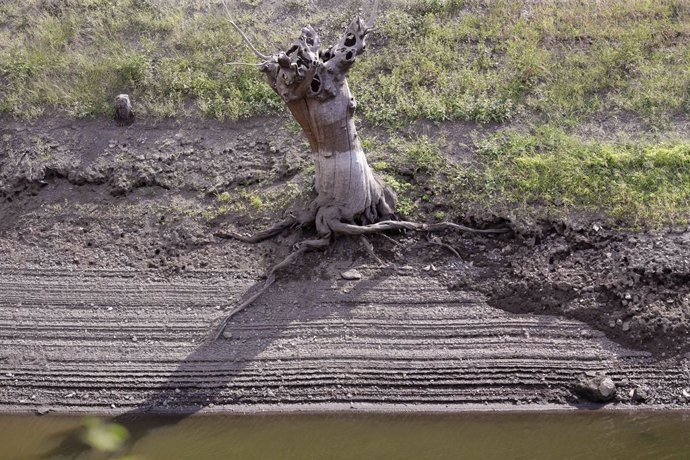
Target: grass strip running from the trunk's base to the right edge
{"x":542,"y":174}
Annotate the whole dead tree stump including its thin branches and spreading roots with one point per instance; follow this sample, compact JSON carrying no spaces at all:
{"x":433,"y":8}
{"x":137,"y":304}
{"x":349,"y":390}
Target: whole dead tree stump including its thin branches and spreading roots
{"x":352,"y":199}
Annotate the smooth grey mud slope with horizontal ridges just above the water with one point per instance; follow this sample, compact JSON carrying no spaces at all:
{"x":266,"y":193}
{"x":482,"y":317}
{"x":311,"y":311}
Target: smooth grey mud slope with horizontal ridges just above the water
{"x":112,"y":341}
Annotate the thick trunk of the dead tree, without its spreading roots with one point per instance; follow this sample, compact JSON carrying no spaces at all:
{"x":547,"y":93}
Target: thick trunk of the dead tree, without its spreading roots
{"x":313,"y":84}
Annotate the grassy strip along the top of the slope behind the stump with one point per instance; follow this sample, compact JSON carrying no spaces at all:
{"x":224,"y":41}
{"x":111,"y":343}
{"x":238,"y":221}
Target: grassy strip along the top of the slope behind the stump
{"x":483,"y":61}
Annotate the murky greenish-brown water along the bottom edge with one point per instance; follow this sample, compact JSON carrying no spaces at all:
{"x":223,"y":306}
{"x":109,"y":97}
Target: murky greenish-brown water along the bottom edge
{"x":581,"y":435}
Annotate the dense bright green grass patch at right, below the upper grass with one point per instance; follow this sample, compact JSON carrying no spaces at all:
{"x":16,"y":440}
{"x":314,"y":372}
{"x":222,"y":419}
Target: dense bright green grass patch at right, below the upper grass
{"x":636,"y":184}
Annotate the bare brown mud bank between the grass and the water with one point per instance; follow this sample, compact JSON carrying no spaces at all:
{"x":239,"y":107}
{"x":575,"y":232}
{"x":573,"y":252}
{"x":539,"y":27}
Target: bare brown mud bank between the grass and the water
{"x":110,"y":284}
